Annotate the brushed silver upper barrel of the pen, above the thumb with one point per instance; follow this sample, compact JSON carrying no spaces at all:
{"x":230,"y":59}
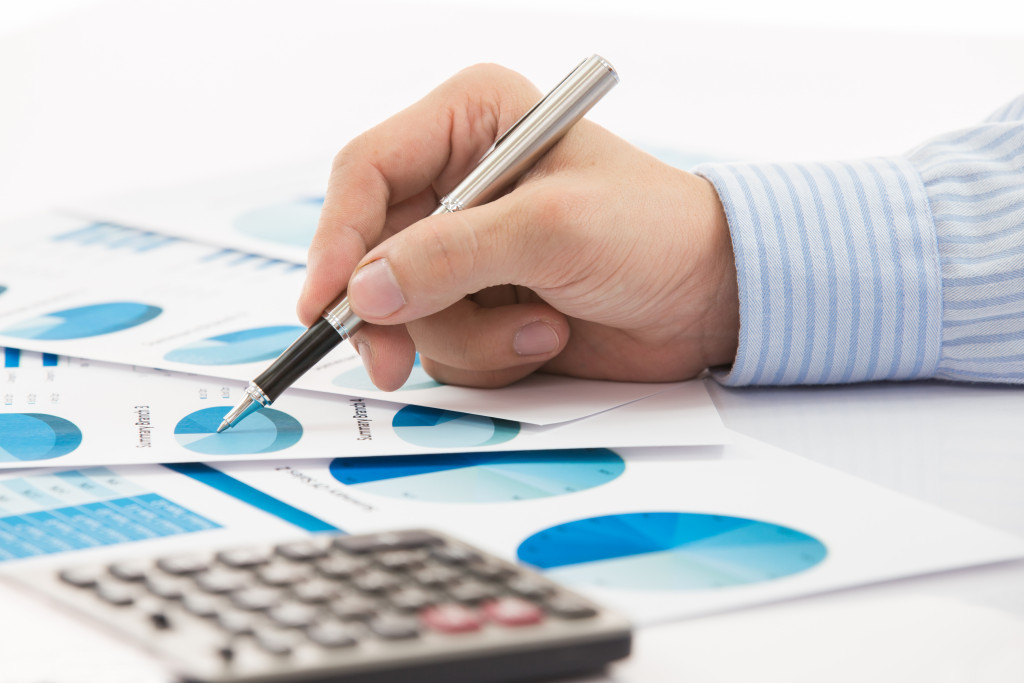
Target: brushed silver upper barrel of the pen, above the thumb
{"x":522,"y":146}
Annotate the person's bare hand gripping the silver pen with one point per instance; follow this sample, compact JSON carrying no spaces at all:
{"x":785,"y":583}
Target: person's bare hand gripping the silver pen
{"x":603,"y":263}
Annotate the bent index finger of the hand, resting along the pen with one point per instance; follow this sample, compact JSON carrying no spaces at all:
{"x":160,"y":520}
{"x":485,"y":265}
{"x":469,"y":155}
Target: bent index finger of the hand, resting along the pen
{"x":419,"y":154}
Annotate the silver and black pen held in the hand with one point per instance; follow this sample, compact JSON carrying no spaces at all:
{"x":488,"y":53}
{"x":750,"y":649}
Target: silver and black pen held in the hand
{"x":508,"y":158}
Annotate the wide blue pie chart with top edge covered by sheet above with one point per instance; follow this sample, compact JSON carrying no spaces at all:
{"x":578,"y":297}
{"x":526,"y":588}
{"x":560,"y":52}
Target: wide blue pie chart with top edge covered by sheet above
{"x":481,"y":478}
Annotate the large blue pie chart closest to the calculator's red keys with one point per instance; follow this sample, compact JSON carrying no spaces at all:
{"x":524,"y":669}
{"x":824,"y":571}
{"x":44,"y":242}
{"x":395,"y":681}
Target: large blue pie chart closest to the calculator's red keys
{"x":670,"y":551}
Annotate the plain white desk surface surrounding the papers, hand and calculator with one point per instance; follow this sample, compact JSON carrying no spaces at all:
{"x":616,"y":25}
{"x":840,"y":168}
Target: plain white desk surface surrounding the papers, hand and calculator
{"x":99,"y":98}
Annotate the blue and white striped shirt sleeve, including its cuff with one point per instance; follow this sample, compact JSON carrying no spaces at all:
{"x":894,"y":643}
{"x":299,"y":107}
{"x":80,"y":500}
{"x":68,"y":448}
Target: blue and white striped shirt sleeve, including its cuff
{"x":890,"y":269}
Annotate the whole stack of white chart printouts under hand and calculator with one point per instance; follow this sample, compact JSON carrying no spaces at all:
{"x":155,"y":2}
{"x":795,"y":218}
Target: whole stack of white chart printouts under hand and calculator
{"x":122,"y":352}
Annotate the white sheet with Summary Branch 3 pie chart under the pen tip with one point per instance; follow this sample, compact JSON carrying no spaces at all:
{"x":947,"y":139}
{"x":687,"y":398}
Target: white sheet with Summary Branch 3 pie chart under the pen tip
{"x":64,"y":412}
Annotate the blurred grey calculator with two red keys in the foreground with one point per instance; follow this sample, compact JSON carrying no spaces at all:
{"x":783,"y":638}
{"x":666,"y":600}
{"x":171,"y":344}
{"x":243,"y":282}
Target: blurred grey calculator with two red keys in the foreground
{"x":409,"y":606}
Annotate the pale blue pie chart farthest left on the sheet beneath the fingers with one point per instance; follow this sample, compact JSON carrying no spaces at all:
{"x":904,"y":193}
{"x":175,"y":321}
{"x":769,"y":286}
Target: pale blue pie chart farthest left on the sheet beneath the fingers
{"x":90,"y":321}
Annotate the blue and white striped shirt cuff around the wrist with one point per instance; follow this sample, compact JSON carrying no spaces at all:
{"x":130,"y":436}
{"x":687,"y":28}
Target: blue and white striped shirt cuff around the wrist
{"x":838,"y":272}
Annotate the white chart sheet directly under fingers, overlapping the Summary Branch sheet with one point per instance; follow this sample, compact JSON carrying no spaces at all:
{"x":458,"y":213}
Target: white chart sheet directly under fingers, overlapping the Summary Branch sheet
{"x":122,"y":295}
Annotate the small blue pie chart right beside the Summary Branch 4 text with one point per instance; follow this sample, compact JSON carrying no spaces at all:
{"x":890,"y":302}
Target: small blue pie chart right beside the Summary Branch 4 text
{"x":436,"y":429}
